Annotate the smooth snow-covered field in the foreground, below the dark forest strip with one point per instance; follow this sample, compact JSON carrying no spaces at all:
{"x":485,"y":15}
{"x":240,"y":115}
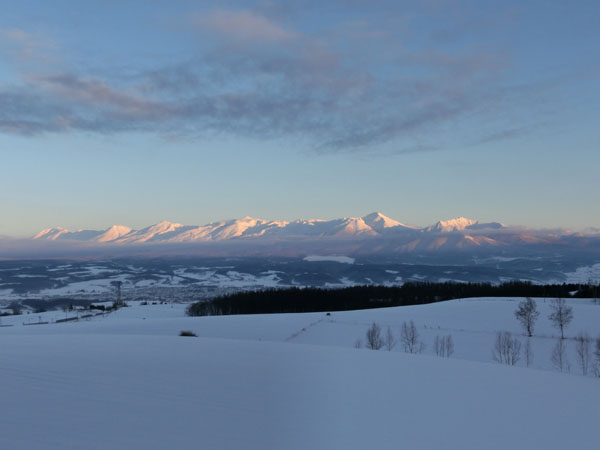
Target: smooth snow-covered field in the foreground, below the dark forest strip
{"x":128,"y":381}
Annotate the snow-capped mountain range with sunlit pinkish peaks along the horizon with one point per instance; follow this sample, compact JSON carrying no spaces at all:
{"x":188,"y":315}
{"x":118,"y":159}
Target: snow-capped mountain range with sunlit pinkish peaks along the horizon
{"x":372,"y":234}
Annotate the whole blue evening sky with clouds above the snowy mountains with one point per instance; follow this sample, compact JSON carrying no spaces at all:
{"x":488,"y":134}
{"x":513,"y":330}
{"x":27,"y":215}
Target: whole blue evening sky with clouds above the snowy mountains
{"x":132,"y":112}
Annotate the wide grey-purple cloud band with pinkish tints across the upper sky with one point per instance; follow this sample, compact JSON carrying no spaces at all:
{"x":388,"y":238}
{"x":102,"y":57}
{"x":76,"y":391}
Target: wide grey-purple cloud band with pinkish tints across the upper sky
{"x":258,"y":78}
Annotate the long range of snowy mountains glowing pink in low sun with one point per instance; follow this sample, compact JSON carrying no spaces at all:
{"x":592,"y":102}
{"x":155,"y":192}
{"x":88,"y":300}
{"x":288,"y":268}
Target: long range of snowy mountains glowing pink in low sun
{"x":373,"y":232}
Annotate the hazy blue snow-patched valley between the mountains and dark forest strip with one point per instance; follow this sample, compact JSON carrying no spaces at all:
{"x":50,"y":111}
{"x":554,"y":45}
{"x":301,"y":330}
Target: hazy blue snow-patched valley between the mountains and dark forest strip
{"x":187,"y":279}
